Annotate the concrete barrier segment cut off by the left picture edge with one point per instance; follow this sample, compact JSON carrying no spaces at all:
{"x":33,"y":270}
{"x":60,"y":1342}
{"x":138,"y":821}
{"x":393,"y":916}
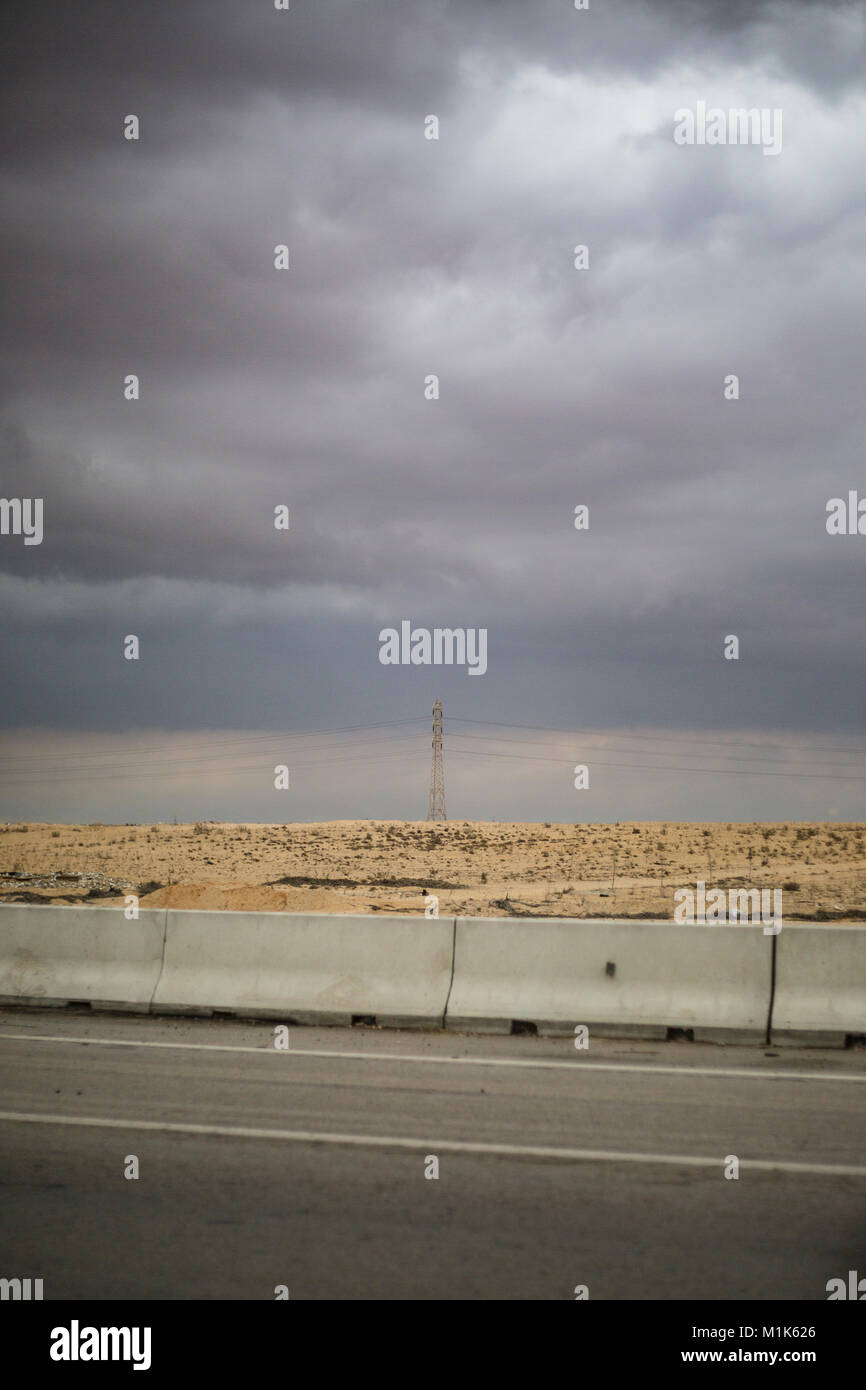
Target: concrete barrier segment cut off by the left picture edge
{"x":91,"y":956}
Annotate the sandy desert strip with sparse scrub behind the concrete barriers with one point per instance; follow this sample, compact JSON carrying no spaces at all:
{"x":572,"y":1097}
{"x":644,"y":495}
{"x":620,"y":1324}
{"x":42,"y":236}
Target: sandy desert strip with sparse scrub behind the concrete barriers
{"x":475,"y":868}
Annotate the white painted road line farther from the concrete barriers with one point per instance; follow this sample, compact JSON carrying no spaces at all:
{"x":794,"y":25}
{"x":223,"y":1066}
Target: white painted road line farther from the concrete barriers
{"x":443,"y":1146}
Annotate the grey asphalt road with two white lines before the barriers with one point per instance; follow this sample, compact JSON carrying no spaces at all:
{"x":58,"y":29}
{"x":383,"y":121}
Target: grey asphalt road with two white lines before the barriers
{"x":307,"y":1168}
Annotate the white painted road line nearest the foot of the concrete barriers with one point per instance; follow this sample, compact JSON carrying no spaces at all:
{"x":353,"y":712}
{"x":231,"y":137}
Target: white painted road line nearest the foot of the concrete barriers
{"x":764,"y":1074}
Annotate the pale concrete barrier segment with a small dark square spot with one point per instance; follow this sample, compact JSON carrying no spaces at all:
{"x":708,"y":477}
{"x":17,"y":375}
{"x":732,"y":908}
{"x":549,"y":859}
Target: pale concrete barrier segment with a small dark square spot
{"x":622,"y":979}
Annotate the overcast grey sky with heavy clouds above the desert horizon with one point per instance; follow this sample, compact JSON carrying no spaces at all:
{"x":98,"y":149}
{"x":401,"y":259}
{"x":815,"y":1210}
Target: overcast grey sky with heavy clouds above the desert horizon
{"x":558,"y":387}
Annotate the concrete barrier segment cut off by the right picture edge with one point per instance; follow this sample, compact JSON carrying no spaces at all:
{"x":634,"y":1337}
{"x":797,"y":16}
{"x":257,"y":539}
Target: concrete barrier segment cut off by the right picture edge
{"x":821,"y":985}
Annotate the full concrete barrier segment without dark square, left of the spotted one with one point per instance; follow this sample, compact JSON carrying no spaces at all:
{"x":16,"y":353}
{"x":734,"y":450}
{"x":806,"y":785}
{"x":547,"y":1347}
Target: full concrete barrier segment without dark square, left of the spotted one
{"x":309,"y":970}
